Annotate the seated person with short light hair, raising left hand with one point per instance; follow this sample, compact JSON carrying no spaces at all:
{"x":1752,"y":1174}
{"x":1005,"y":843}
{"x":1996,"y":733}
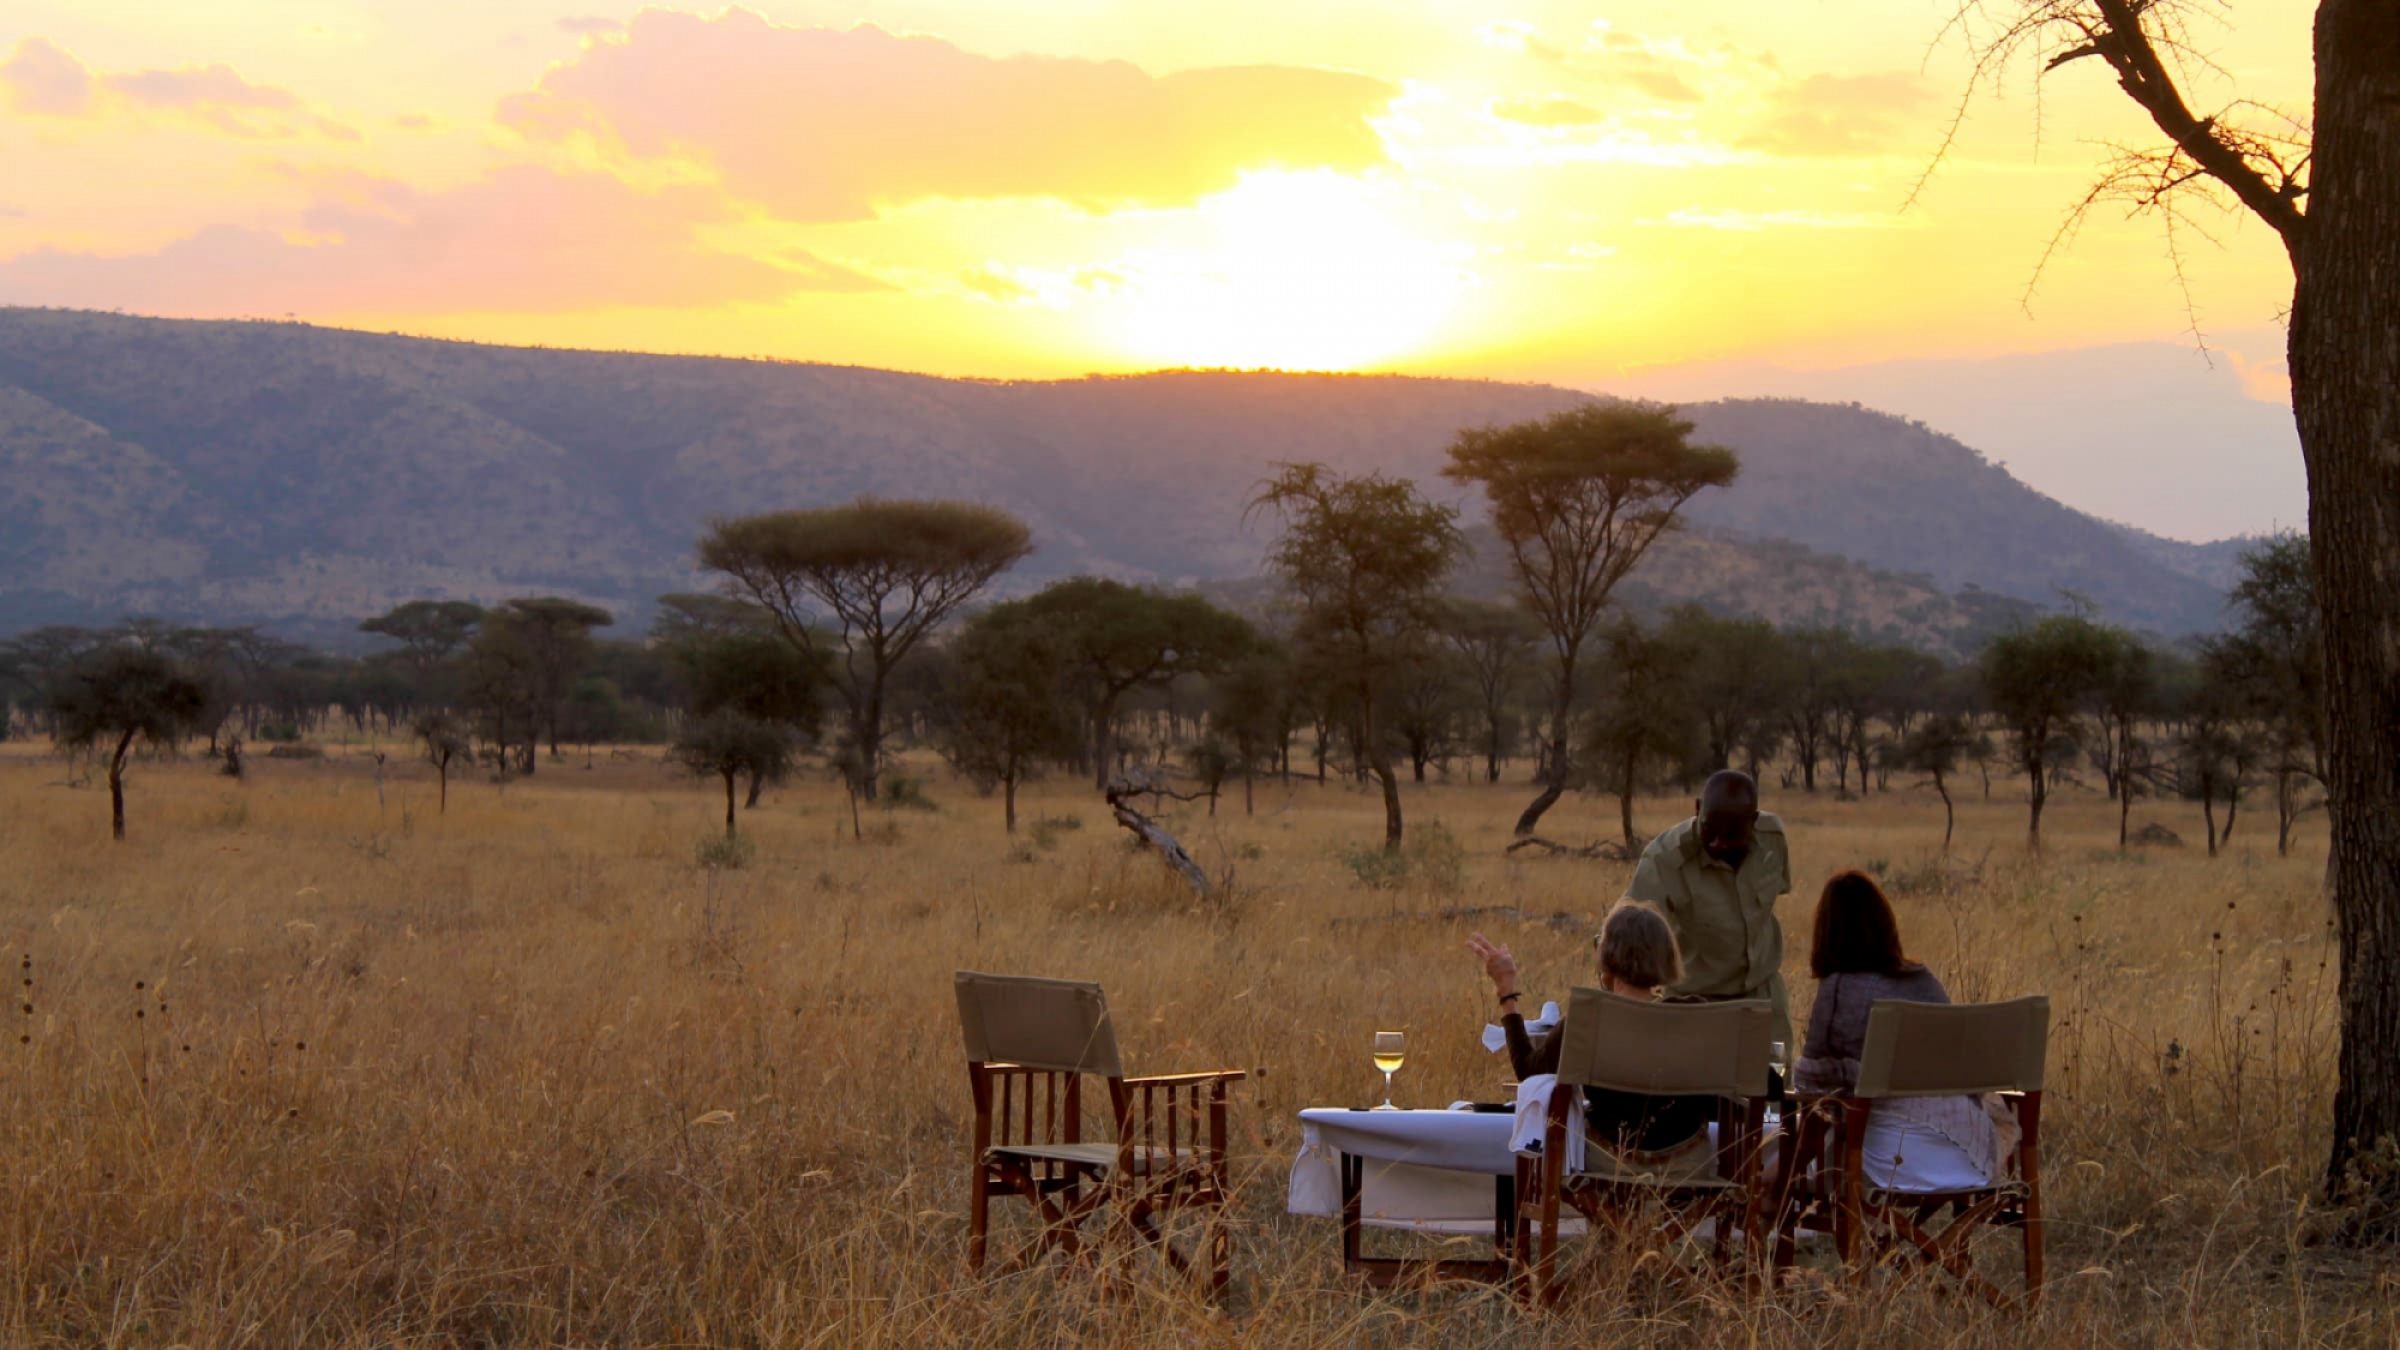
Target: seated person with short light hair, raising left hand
{"x":1638,"y":960}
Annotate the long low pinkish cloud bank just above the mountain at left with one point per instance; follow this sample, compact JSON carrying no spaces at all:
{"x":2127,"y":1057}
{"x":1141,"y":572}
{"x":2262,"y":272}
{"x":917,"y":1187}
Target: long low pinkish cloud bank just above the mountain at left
{"x":520,"y":241}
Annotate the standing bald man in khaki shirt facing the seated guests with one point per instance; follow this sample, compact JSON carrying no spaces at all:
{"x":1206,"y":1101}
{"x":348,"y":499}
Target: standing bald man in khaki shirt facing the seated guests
{"x":1717,"y":880}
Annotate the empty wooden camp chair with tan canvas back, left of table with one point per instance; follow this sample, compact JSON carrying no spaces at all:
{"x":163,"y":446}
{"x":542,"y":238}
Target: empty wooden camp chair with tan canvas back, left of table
{"x":1031,"y":1046}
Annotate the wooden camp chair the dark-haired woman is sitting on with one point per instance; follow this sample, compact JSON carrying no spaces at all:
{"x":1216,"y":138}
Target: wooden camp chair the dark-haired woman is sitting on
{"x":1928,"y":1051}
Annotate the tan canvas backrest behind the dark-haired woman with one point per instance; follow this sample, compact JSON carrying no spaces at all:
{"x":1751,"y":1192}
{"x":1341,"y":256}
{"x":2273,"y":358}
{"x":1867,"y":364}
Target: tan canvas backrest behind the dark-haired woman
{"x":1936,"y":1051}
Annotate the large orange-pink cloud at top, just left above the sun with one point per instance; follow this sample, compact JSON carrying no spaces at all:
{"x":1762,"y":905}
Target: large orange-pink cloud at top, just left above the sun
{"x":829,"y":126}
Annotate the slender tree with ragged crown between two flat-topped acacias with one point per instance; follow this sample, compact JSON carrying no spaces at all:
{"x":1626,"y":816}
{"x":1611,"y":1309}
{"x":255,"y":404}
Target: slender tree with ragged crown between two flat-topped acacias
{"x":1367,"y":561}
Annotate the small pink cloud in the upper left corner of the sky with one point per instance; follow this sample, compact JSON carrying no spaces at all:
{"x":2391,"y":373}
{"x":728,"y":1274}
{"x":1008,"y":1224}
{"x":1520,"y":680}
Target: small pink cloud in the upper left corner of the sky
{"x":49,"y":83}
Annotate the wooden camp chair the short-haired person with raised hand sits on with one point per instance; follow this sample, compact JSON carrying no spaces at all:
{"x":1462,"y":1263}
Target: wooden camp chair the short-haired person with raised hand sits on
{"x":1643,"y":1046}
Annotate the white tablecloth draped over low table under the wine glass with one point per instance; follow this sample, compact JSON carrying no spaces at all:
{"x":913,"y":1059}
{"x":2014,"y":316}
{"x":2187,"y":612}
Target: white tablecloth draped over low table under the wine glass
{"x":1427,"y":1171}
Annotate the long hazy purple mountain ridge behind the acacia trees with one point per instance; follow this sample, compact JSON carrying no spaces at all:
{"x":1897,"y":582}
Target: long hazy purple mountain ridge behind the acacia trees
{"x":308,"y":477}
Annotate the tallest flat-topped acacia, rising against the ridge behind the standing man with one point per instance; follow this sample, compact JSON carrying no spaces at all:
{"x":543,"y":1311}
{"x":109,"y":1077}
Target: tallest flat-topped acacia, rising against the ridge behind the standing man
{"x":1578,"y":501}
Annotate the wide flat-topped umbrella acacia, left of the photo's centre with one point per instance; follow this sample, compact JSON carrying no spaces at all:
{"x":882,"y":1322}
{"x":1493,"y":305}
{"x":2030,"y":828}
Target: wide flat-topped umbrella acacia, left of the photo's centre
{"x":880,"y":575}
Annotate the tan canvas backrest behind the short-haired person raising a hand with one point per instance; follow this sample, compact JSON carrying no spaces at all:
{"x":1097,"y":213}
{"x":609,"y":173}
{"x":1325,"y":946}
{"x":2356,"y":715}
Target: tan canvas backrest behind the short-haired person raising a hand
{"x":1648,"y":1046}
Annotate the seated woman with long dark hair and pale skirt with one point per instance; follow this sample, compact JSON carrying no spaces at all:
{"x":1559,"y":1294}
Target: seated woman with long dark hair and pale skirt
{"x":1914,"y":1145}
